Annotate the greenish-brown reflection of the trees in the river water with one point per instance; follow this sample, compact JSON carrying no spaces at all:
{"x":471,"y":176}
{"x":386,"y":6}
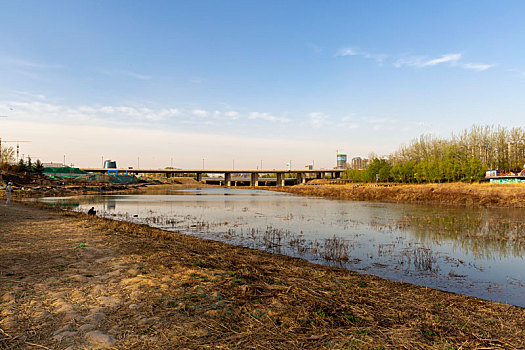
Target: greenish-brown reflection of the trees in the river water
{"x":482,"y":233}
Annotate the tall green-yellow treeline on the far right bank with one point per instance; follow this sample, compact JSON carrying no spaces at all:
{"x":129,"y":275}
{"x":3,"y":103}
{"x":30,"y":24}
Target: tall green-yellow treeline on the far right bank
{"x":463,"y":157}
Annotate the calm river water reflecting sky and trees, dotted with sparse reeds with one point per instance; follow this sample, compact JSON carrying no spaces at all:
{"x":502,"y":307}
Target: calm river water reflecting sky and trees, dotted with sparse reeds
{"x":477,"y":252}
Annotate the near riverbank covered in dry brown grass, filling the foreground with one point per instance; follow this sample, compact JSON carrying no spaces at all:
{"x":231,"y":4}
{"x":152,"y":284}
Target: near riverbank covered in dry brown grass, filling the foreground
{"x":72,"y":281}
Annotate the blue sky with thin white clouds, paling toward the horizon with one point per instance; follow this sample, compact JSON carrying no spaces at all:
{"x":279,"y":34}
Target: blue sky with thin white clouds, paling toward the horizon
{"x":236,"y":84}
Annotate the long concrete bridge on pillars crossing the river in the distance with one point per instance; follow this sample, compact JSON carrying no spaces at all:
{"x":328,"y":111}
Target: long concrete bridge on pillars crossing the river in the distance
{"x":233,"y":177}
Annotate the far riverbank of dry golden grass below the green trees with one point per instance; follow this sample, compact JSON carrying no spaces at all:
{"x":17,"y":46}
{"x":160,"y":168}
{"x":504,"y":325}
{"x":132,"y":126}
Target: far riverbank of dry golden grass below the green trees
{"x":473,"y":195}
